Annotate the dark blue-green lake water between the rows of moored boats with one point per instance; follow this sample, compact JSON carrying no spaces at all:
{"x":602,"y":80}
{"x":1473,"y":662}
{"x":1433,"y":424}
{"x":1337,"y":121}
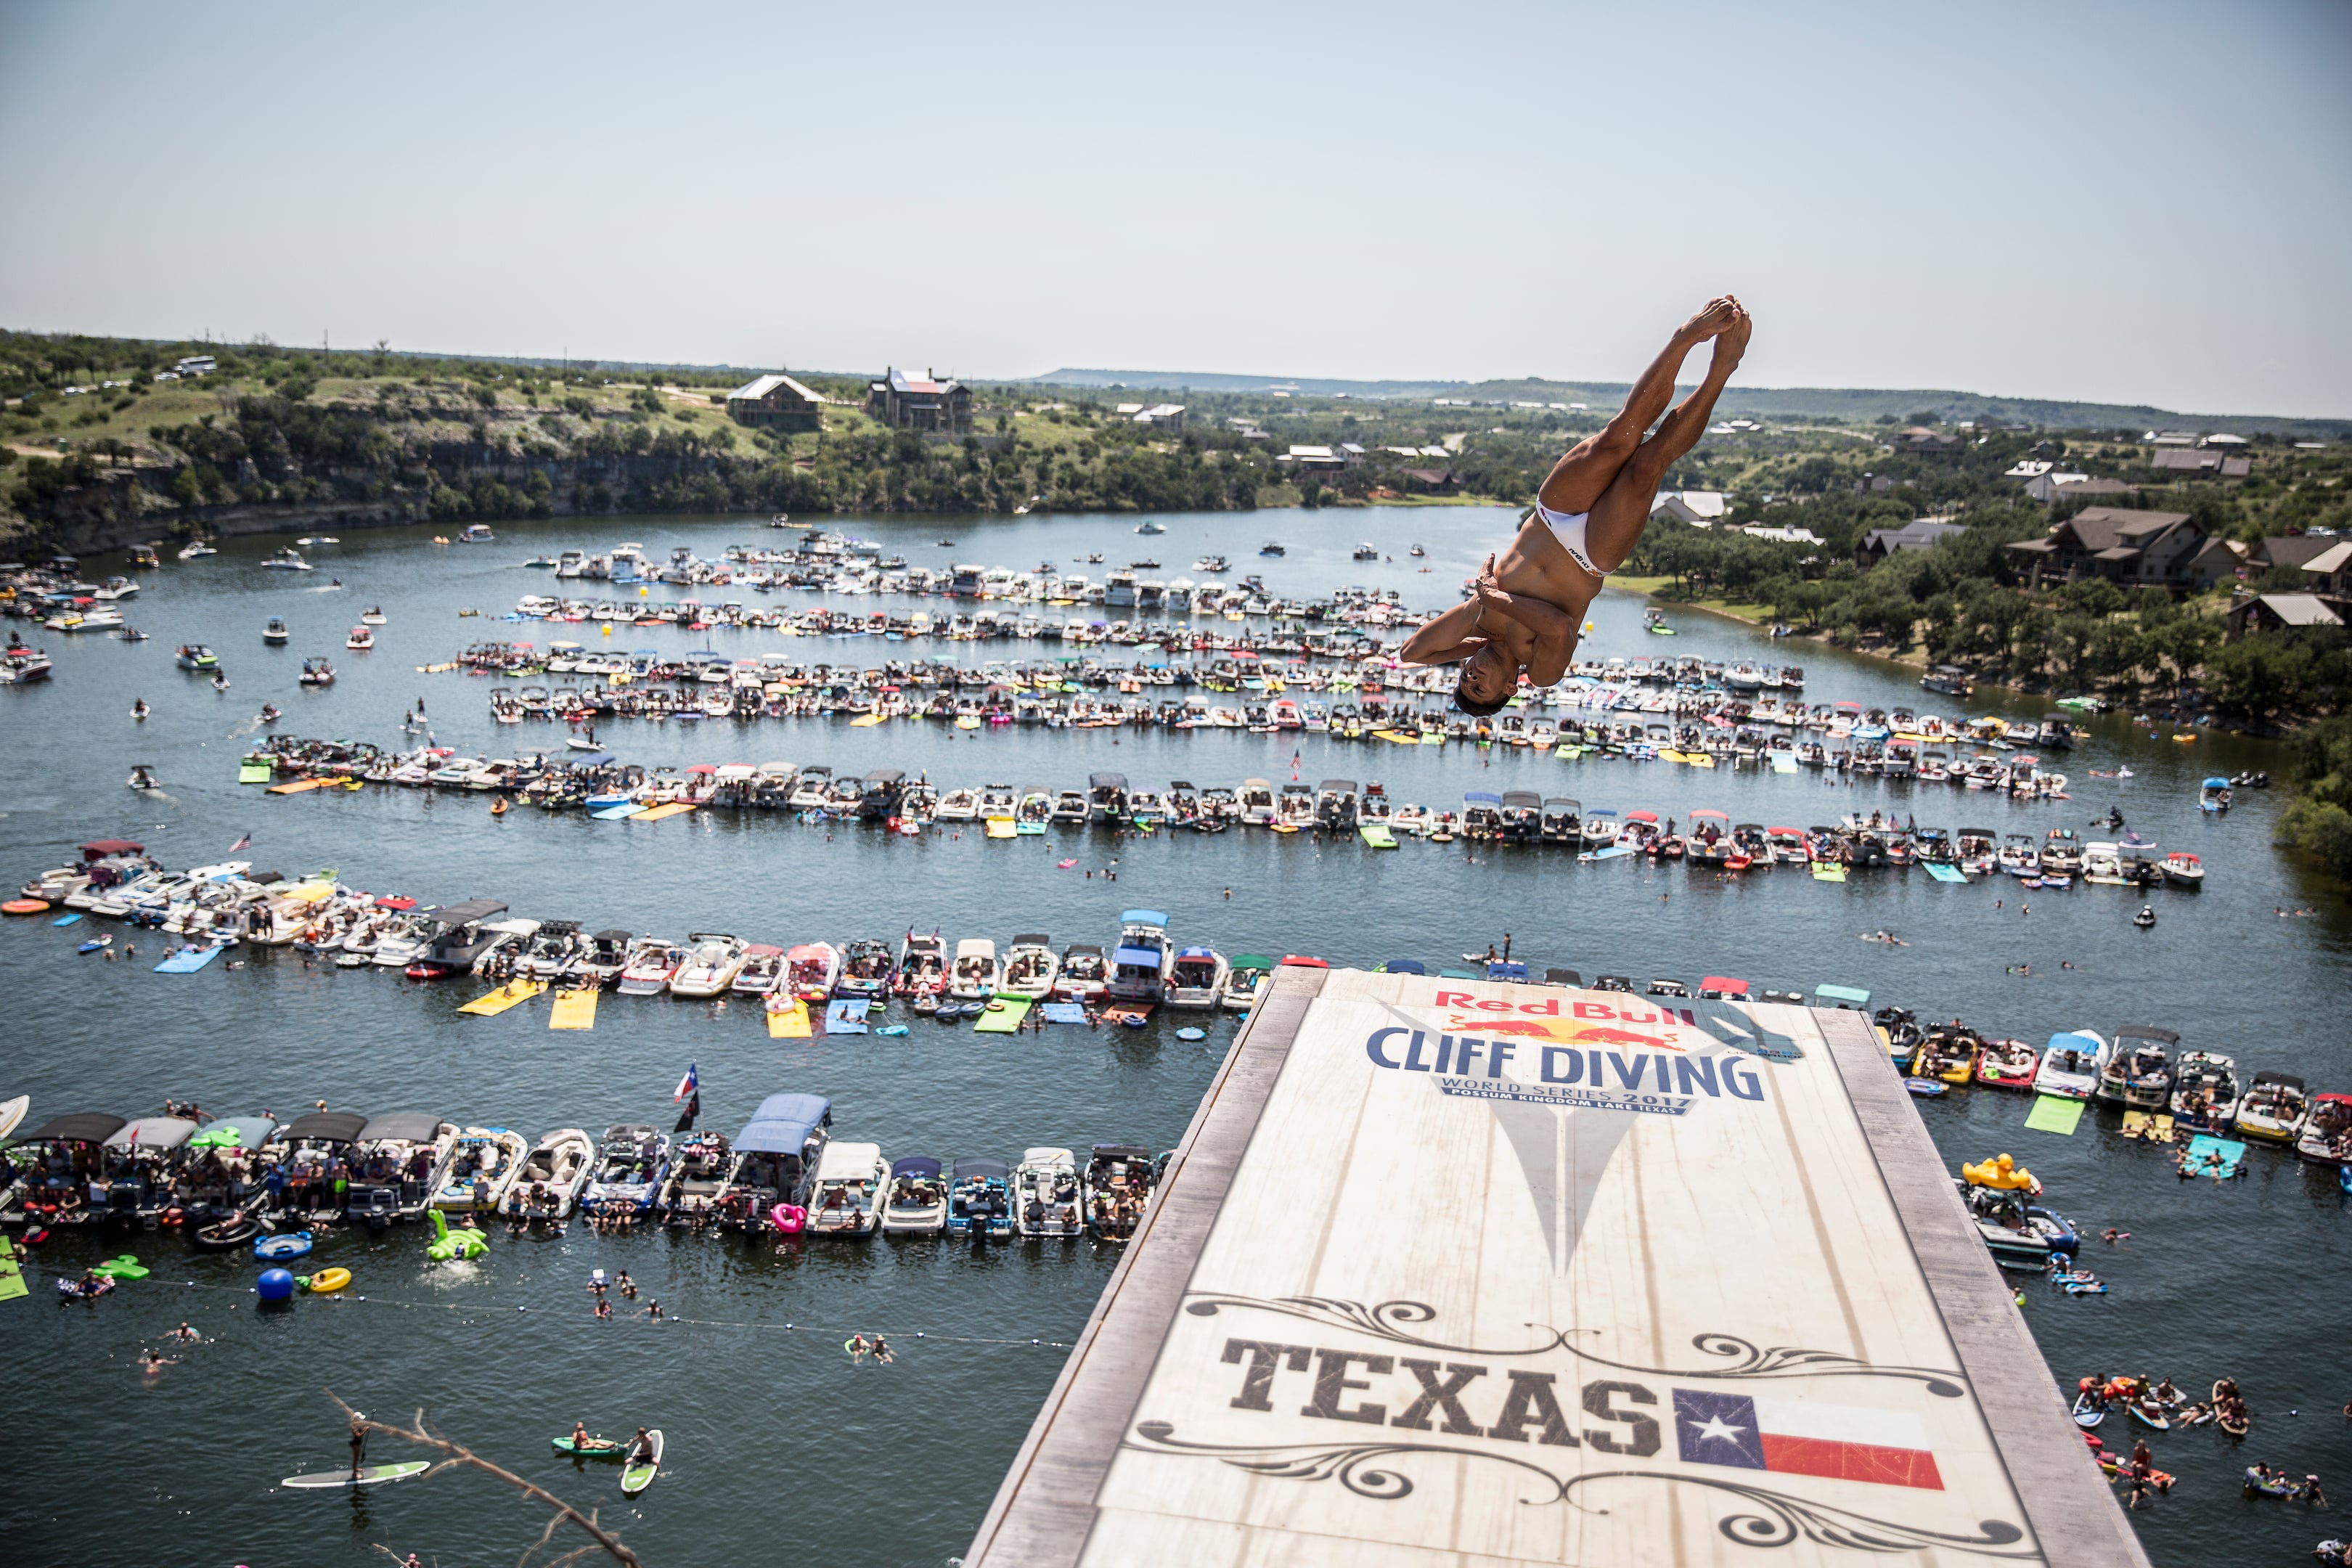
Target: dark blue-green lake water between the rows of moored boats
{"x":777,"y":1445}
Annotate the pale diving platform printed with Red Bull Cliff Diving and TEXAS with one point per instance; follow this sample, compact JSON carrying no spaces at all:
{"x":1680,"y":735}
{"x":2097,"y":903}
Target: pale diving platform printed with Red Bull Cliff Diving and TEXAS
{"x":1455,"y":1273}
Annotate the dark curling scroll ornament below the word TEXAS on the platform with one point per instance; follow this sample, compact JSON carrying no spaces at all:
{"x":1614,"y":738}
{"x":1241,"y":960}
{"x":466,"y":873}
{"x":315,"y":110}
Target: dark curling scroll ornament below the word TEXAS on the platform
{"x":1777,"y":1520}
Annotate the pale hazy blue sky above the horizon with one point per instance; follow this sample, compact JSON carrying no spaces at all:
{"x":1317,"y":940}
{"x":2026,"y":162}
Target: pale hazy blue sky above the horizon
{"x":2139,"y":203}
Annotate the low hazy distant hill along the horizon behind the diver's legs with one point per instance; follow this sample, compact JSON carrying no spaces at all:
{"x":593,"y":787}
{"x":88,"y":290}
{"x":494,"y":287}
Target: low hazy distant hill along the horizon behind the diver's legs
{"x":1850,"y":406}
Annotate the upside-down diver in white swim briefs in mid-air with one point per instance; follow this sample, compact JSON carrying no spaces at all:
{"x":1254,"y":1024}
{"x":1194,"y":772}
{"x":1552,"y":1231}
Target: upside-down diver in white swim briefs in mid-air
{"x":1591,"y":511}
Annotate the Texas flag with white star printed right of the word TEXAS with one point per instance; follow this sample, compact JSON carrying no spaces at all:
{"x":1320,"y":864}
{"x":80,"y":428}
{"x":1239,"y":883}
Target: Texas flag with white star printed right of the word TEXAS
{"x":1803,"y":1440}
